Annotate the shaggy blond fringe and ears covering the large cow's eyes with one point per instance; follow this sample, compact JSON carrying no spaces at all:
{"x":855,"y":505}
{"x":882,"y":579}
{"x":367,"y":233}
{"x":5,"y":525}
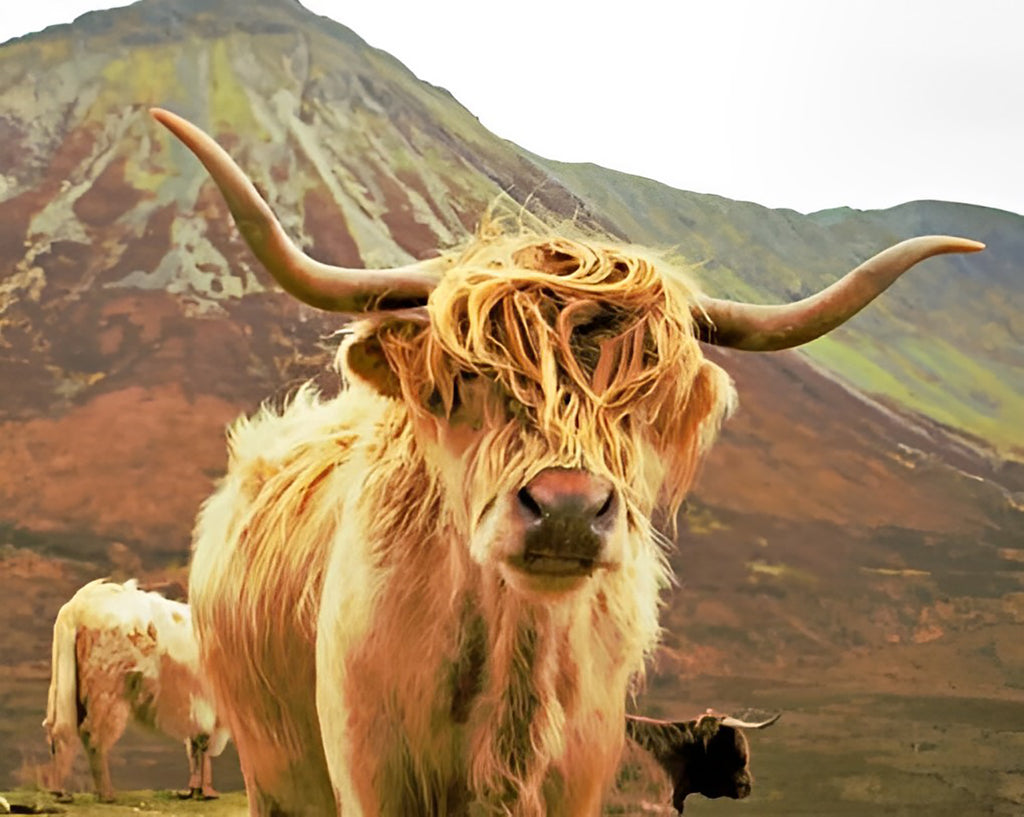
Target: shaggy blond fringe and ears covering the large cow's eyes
{"x":593,"y":342}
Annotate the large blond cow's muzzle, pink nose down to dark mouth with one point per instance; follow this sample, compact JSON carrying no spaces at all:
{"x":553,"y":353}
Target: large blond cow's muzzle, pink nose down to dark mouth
{"x":568,"y":515}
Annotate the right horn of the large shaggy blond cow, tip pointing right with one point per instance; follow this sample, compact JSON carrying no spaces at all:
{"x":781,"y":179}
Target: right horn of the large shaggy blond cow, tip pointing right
{"x":767,"y":329}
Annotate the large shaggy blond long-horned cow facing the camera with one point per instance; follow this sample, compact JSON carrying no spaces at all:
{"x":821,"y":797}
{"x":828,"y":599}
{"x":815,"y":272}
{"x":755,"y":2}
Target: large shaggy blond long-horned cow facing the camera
{"x":432,"y":594}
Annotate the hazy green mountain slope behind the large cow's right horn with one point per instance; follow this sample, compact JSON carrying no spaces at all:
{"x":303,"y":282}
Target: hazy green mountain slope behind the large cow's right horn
{"x":947,"y":342}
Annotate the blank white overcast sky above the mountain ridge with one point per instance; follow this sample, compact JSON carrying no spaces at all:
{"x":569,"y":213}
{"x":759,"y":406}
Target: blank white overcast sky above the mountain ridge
{"x":800,"y":104}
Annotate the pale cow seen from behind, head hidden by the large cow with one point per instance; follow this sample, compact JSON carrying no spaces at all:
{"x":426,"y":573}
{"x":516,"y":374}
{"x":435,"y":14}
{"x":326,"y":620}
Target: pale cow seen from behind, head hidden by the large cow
{"x":122,"y":654}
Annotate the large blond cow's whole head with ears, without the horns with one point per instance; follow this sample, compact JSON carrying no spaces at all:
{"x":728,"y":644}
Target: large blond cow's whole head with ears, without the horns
{"x":560,"y":395}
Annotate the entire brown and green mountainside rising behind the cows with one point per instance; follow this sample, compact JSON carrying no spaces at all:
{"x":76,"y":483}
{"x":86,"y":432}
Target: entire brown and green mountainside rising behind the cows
{"x":854,"y":551}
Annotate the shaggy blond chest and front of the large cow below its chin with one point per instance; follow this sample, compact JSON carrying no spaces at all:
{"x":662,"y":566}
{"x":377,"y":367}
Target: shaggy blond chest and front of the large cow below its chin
{"x":459,"y":696}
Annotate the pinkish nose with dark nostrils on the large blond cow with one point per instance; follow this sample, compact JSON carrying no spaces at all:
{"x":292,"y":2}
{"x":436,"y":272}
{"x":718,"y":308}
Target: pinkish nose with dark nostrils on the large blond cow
{"x":568,"y":493}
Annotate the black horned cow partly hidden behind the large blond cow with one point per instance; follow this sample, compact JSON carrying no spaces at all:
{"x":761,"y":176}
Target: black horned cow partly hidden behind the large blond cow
{"x":708,"y":756}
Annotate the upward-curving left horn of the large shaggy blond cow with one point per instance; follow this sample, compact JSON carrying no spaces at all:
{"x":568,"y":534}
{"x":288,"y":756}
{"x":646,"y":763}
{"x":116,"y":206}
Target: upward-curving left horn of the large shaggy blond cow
{"x":332,"y":288}
